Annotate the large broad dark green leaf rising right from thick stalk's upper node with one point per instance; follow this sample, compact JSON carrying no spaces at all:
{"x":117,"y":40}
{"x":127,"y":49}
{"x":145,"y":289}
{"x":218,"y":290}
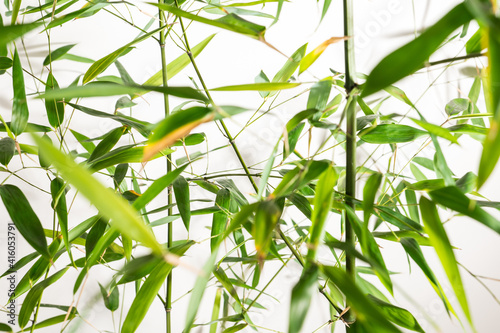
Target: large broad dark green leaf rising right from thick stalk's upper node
{"x":409,"y":58}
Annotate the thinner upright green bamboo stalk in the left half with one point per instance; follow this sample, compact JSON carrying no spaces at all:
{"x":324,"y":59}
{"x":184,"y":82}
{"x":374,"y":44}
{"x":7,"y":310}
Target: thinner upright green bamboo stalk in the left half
{"x":168,"y":296}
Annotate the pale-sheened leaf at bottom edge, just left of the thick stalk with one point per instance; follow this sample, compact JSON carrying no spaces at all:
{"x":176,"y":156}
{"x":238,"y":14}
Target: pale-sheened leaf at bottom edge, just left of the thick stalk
{"x":302,"y":294}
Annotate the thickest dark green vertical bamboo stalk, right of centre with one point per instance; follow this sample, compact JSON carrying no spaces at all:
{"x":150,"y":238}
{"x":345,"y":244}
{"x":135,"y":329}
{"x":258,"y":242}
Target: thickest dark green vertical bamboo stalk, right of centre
{"x":350,"y":110}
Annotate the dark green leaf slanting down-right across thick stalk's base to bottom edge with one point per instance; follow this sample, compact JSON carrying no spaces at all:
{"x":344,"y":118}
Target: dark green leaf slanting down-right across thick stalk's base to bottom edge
{"x":366,"y":310}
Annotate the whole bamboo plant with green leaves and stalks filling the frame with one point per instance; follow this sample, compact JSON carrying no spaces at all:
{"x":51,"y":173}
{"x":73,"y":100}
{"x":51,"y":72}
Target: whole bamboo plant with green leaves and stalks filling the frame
{"x":312,"y":200}
